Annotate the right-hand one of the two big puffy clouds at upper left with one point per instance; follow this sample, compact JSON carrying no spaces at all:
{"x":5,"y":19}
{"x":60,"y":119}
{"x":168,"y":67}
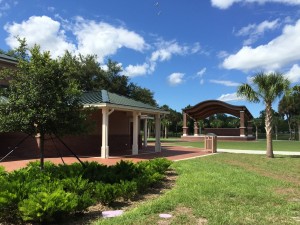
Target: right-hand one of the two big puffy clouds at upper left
{"x":104,"y":39}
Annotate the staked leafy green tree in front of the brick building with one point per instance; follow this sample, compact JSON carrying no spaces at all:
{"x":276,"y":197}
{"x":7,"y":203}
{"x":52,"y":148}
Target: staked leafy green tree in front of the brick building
{"x":42,"y":98}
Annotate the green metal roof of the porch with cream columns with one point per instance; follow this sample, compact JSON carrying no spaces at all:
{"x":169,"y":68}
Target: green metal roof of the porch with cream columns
{"x":104,"y":98}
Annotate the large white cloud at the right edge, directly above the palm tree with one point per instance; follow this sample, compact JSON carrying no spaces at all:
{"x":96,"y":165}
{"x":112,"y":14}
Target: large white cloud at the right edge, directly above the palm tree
{"x":279,"y":52}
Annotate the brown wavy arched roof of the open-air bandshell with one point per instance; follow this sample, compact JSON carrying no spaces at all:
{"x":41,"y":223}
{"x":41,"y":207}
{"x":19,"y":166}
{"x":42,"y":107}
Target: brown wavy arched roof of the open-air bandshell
{"x":207,"y":108}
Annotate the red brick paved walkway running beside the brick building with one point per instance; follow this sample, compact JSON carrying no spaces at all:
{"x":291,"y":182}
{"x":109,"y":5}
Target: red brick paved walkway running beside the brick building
{"x":168,"y":151}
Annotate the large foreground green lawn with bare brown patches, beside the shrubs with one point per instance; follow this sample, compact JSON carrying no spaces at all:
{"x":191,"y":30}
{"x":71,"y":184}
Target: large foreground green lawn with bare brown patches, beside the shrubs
{"x":225,"y":189}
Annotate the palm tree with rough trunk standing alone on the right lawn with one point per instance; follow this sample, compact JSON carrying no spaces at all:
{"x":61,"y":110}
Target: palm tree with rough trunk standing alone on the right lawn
{"x":267,"y":87}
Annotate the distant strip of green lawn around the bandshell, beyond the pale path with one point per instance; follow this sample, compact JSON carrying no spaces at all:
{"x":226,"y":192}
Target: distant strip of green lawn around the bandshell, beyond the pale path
{"x":245,"y":145}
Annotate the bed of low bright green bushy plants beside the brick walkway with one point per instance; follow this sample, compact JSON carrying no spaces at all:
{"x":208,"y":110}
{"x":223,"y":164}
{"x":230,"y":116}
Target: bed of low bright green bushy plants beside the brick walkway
{"x":48,"y":196}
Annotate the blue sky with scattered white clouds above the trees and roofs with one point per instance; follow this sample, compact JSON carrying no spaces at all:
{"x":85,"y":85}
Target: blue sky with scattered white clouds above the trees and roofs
{"x":184,"y":51}
